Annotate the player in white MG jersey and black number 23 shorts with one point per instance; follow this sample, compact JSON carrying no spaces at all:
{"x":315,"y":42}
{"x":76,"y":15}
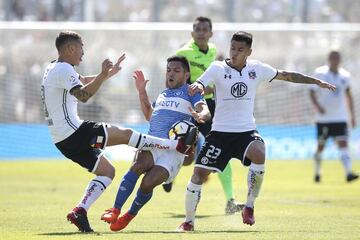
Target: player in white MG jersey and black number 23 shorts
{"x":233,"y":133}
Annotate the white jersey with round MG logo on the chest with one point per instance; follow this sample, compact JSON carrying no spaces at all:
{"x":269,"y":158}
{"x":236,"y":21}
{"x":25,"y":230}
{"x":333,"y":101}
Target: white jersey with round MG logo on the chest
{"x":235,"y":93}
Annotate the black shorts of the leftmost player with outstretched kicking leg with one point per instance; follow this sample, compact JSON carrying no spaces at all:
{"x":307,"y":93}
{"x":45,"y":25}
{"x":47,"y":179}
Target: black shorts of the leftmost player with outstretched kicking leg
{"x":83,"y":146}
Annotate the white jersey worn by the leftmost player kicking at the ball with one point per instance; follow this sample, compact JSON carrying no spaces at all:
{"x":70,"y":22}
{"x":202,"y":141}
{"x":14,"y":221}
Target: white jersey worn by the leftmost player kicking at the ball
{"x":60,"y":106}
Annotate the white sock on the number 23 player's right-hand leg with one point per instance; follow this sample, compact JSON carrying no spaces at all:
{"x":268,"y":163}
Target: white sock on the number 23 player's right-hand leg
{"x":255,"y":179}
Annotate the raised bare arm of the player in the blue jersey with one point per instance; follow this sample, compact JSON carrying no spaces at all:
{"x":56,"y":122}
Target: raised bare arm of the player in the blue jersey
{"x":140,"y":84}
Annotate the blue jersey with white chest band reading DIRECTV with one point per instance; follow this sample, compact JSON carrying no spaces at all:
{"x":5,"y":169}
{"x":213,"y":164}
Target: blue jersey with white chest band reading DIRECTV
{"x":172,"y":105}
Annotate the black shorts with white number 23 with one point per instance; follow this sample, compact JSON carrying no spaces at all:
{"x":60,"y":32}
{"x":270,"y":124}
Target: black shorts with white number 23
{"x":220,"y":147}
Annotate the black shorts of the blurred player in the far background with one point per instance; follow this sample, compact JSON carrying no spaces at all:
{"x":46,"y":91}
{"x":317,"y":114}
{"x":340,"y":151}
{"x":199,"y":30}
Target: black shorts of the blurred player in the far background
{"x":336,"y":130}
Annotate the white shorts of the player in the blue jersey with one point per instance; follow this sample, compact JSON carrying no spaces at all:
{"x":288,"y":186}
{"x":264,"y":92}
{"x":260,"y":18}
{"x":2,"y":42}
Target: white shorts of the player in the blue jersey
{"x":170,"y":160}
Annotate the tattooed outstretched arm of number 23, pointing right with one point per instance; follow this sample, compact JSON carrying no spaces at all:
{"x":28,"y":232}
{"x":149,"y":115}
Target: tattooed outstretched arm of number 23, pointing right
{"x":296,"y":77}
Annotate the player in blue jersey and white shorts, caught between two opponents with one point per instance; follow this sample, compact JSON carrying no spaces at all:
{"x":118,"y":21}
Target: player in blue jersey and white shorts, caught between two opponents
{"x":172,"y":105}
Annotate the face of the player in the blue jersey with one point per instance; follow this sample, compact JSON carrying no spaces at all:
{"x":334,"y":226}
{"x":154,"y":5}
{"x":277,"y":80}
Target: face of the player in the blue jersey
{"x":175,"y":75}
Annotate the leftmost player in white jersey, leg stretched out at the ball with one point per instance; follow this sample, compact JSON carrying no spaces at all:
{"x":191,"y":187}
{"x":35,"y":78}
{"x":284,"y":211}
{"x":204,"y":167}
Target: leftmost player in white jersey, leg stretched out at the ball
{"x":82,"y":141}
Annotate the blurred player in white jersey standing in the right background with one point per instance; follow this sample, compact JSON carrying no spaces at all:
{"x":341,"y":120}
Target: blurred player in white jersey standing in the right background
{"x":332,"y":115}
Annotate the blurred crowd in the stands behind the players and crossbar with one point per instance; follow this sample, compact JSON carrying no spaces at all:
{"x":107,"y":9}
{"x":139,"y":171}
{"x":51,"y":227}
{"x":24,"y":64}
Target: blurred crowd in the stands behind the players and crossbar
{"x":24,"y":53}
